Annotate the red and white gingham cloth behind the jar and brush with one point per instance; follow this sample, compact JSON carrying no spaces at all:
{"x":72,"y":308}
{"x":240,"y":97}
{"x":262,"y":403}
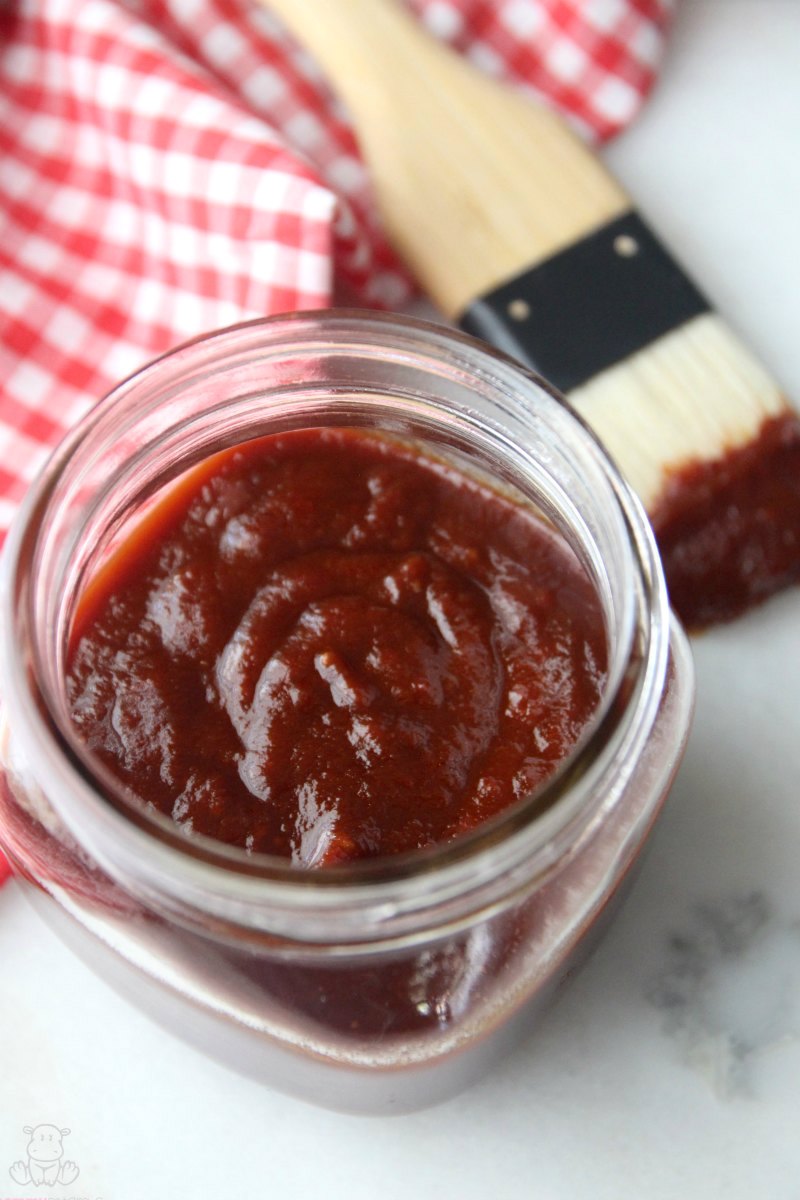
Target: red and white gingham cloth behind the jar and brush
{"x":169,"y":167}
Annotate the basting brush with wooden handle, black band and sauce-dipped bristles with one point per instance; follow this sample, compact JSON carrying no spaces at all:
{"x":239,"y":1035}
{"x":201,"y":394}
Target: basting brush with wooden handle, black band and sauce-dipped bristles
{"x":520,"y":235}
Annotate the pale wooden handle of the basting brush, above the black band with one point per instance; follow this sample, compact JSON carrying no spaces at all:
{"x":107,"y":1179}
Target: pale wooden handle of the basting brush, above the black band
{"x":474,"y":182}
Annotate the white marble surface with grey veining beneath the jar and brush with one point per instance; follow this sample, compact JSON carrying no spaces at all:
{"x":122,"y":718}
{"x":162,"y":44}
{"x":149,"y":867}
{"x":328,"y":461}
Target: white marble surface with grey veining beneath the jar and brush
{"x":672,"y":1066}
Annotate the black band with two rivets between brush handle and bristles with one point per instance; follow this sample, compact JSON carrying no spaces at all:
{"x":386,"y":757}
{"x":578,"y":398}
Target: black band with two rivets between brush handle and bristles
{"x":590,"y":307}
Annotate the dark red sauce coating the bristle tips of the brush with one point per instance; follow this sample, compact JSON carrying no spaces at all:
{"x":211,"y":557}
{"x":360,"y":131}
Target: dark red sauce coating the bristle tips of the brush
{"x":730,"y":531}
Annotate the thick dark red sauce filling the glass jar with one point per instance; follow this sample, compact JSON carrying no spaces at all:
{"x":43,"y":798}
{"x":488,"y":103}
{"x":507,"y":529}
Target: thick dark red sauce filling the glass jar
{"x":329,"y":646}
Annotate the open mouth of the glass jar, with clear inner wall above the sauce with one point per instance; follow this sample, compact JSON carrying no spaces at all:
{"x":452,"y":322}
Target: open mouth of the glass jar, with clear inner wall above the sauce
{"x":154,"y":416}
